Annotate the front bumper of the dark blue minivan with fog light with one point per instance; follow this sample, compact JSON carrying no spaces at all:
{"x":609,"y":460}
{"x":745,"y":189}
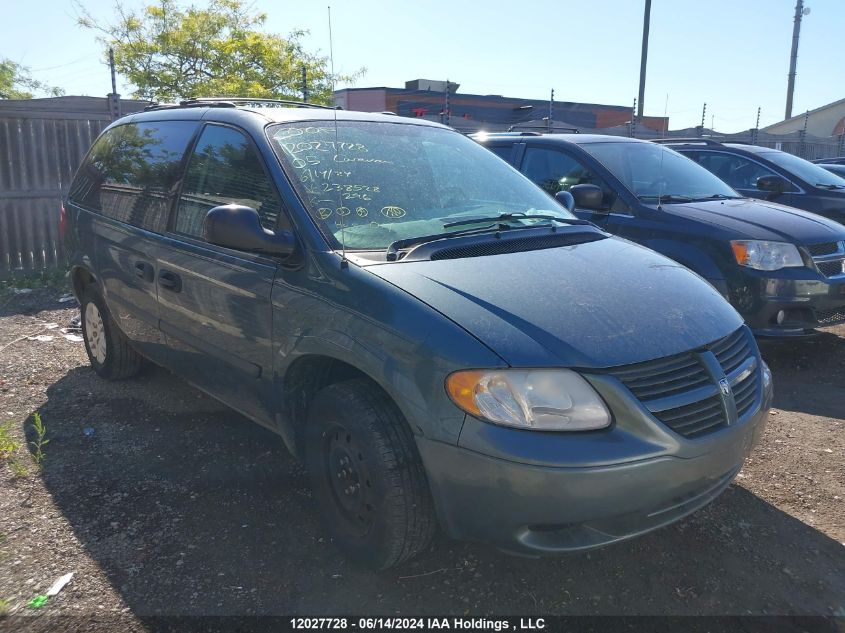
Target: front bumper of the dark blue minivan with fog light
{"x":806,"y":304}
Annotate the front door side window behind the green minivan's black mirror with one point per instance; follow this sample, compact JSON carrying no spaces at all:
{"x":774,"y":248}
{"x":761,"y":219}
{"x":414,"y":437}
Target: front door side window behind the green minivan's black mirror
{"x":224,"y":169}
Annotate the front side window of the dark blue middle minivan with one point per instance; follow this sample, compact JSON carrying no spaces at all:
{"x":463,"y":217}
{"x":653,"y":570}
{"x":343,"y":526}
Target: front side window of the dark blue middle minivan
{"x":555,"y":171}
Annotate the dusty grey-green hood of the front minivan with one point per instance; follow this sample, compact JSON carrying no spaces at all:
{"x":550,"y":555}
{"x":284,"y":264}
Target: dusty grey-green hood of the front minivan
{"x":599,"y":304}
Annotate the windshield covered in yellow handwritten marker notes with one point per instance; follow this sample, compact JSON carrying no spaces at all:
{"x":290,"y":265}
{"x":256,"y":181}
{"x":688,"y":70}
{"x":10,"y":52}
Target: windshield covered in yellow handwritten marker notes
{"x":384,"y":182}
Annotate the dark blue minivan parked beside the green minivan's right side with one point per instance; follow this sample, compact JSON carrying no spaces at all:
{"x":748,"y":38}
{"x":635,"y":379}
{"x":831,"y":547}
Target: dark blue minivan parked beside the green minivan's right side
{"x":781,"y":268}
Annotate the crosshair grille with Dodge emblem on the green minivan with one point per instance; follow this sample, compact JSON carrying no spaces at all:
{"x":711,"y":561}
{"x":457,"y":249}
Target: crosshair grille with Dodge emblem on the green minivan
{"x":682,"y":391}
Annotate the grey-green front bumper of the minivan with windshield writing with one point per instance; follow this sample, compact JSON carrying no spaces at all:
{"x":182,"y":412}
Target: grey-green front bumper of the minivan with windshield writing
{"x":537,"y":508}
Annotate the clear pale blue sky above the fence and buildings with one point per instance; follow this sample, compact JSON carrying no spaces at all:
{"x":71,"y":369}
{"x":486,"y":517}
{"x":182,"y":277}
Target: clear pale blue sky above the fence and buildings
{"x":732,"y":55}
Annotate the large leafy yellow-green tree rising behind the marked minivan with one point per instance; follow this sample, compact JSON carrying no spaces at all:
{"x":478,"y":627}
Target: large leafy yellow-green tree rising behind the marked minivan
{"x":169,"y":52}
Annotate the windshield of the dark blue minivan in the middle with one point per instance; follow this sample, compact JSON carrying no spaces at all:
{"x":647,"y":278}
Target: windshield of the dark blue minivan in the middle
{"x":654,"y":172}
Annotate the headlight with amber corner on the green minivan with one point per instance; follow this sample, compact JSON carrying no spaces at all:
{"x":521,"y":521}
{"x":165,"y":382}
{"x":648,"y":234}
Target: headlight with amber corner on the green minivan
{"x":538,"y":399}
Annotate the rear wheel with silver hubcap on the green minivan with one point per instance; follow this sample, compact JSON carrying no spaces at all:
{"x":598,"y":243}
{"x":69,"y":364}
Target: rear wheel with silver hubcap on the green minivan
{"x":109,"y":351}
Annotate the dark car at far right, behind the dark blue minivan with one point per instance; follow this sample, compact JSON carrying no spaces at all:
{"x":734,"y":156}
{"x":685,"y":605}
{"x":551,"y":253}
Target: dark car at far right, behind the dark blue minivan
{"x":762,"y":172}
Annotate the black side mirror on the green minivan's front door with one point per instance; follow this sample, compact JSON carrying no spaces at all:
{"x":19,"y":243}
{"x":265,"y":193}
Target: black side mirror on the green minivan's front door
{"x":239,"y":227}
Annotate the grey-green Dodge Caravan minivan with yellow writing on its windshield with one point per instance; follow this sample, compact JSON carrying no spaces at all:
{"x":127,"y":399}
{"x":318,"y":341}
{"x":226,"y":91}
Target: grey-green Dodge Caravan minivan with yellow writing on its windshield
{"x":429,"y":332}
